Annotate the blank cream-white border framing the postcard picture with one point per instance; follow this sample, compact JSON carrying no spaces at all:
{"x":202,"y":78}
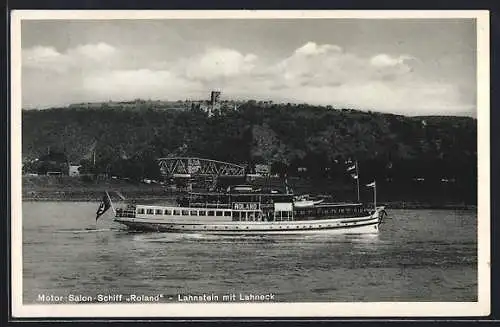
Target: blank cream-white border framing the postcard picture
{"x":172,"y":310}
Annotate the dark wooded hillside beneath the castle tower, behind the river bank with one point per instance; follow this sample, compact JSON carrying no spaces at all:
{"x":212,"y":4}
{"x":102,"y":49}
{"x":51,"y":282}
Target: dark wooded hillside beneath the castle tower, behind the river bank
{"x":388,"y":147}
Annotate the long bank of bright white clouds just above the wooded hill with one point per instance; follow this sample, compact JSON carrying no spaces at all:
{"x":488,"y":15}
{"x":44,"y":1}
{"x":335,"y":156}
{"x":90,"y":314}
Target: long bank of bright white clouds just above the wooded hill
{"x":323,"y":74}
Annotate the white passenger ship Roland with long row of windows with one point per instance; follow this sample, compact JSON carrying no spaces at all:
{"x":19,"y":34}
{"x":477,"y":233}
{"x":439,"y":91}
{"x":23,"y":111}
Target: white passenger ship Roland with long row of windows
{"x":250,"y":214}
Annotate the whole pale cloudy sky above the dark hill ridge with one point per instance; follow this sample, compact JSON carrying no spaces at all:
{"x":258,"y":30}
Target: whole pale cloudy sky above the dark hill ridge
{"x":402,"y":66}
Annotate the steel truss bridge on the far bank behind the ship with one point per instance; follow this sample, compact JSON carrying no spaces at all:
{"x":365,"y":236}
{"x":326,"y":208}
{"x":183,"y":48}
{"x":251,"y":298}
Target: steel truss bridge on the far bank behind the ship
{"x":193,"y":167}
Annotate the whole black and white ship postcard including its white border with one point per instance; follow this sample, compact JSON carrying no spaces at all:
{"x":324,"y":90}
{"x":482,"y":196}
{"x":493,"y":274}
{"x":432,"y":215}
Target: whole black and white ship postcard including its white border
{"x":250,"y":163}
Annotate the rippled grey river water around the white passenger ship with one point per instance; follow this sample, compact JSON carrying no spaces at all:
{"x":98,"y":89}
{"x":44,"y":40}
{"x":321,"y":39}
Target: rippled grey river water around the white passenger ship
{"x":418,"y":255}
